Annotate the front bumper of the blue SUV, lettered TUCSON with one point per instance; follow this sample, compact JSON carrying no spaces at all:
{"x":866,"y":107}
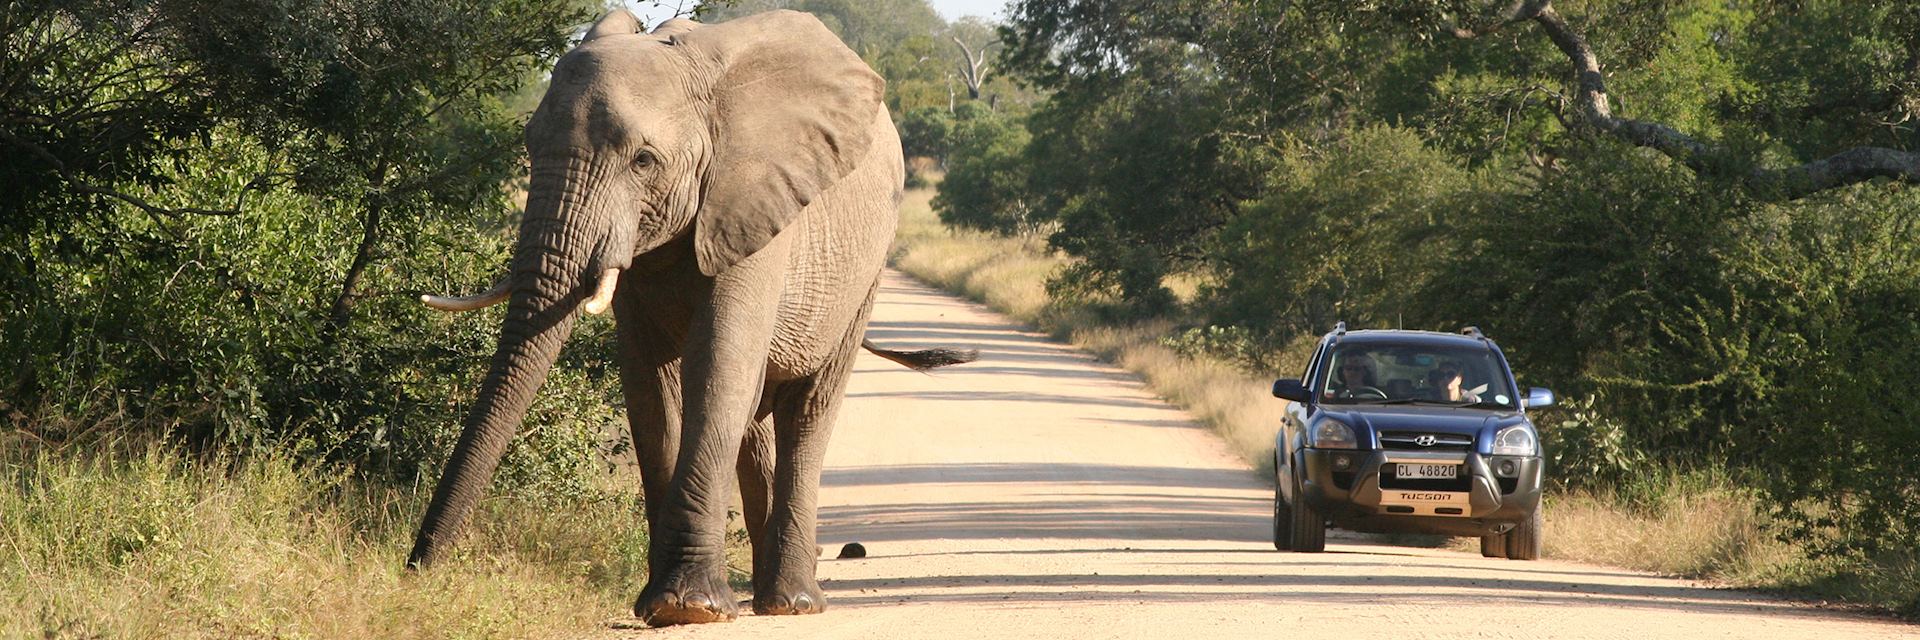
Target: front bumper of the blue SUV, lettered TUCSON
{"x":1364,"y":495}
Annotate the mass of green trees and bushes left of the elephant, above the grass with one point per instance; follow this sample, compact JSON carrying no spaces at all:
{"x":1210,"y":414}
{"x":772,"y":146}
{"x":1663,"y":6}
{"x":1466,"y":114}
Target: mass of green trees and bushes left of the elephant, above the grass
{"x":358,"y":153}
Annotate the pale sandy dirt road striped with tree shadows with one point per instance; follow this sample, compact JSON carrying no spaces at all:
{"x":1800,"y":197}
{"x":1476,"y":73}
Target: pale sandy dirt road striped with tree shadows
{"x":1042,"y":495}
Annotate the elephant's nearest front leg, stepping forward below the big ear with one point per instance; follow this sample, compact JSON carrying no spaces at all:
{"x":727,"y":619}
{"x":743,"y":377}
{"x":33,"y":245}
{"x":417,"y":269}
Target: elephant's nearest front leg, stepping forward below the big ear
{"x":723,"y":370}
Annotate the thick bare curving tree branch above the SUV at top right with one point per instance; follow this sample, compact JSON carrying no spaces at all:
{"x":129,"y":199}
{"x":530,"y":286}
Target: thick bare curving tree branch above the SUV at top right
{"x":1840,"y":170}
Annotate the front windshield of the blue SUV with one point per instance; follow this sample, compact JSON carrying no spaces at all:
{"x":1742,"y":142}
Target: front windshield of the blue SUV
{"x":1416,"y":374}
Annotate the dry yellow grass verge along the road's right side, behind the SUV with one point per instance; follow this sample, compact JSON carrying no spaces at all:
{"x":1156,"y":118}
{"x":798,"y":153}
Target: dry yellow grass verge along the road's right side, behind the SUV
{"x":1683,"y":524}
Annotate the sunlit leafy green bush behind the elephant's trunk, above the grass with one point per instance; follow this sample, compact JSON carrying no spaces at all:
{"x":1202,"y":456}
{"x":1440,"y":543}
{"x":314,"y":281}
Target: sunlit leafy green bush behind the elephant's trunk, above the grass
{"x":220,"y":339}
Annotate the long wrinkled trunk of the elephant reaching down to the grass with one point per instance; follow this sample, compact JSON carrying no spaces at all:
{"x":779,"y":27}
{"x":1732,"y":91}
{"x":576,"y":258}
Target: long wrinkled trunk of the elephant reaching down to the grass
{"x":550,"y":276}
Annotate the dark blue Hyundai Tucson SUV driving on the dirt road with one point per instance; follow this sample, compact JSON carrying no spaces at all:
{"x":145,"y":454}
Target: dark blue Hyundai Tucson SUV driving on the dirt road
{"x":1408,"y":431}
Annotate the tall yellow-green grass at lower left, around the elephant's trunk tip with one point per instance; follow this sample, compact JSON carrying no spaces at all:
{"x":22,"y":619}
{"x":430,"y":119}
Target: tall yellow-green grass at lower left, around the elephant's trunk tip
{"x":153,"y":545}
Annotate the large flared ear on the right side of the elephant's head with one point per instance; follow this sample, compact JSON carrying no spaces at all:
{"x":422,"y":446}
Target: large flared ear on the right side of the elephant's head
{"x":794,"y":112}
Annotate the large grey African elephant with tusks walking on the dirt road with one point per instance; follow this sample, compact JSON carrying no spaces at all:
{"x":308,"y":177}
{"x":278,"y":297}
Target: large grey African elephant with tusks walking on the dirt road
{"x":729,"y":191}
